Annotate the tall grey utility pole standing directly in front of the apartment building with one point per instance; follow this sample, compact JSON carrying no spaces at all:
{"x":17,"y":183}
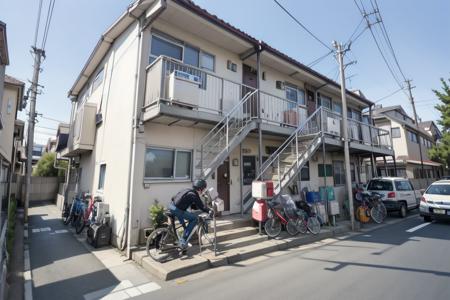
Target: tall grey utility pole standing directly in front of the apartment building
{"x":348,"y":179}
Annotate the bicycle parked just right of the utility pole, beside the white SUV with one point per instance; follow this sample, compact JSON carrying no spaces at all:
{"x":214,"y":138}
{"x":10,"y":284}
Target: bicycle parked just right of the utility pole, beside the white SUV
{"x":371,"y":207}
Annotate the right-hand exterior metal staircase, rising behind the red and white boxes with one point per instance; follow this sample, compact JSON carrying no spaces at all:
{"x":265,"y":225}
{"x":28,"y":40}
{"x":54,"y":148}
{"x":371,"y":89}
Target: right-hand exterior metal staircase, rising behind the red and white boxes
{"x":284,"y":164}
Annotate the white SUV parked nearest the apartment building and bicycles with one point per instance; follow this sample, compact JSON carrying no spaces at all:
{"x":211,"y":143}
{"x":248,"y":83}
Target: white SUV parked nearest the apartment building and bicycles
{"x":398,"y":193}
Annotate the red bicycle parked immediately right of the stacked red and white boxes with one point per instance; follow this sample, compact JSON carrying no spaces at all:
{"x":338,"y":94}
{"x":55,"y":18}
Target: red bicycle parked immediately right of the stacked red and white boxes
{"x":275,"y":220}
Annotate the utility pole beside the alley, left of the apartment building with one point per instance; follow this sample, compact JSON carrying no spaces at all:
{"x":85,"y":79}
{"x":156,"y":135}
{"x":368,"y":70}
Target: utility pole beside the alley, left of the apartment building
{"x":38,"y":55}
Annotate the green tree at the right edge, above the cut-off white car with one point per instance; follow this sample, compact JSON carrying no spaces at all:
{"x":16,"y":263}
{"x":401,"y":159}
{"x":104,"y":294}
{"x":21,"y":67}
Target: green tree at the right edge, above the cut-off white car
{"x":441,"y":152}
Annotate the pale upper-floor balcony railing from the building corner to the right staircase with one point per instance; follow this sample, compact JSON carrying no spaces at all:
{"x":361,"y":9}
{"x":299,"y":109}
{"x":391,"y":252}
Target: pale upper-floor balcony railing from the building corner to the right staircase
{"x":213,"y":94}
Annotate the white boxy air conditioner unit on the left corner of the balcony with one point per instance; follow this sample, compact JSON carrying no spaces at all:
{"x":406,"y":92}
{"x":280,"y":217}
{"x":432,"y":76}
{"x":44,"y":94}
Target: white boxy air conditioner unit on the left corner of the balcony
{"x":184,"y":88}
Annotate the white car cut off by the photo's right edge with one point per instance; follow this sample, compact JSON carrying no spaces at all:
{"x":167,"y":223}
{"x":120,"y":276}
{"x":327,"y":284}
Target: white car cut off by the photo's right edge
{"x":435,"y":202}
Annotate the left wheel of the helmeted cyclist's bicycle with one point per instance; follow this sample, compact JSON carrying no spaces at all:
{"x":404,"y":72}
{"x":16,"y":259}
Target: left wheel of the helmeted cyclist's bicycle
{"x":159,"y":242}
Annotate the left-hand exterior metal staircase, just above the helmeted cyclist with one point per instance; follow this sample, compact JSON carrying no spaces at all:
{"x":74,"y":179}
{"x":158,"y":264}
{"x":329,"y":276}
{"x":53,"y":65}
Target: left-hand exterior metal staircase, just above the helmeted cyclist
{"x":216,"y":146}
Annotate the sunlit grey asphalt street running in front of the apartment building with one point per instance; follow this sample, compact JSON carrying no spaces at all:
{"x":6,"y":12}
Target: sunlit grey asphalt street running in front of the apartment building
{"x":388,"y":263}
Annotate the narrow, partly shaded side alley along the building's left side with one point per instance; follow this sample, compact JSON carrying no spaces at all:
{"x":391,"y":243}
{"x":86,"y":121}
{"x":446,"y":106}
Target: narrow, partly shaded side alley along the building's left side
{"x":64,"y":267}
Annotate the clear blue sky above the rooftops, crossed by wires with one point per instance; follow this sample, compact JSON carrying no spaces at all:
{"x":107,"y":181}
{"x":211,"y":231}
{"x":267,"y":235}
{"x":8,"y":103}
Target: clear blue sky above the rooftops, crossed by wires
{"x":419,"y":31}
